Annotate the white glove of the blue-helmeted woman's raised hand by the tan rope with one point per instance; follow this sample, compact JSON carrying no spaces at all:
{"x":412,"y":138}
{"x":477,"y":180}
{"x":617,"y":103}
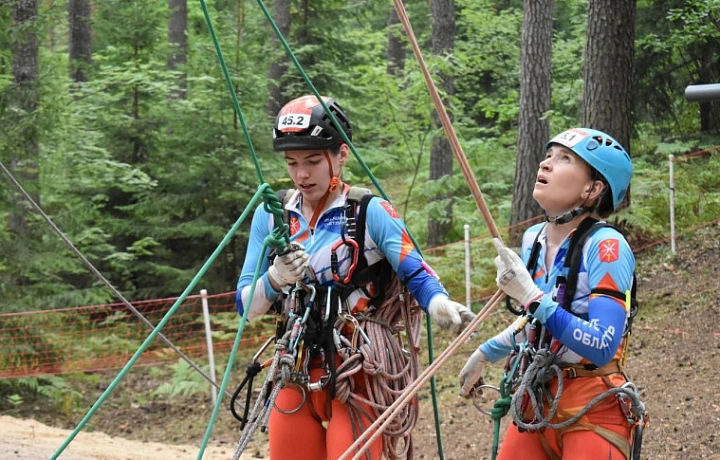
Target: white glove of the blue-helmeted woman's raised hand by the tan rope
{"x":513,"y":277}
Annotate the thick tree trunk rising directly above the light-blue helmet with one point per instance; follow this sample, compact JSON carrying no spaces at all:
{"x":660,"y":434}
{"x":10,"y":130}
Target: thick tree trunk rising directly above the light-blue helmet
{"x":607,"y":96}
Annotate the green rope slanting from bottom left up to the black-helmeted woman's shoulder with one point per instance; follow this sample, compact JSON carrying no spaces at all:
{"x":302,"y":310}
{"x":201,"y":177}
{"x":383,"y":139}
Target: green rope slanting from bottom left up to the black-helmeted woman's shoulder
{"x":162,"y":323}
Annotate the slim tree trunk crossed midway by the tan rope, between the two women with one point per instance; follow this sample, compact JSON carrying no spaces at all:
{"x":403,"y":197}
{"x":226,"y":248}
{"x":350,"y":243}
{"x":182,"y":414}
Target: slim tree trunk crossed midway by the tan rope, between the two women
{"x":441,"y":157}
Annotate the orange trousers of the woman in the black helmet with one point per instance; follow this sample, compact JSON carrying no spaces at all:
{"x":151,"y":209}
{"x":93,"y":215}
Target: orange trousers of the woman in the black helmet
{"x":308,"y":433}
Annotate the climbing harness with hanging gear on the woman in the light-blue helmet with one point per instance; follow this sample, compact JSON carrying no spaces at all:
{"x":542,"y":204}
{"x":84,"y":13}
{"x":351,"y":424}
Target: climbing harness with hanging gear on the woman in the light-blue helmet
{"x":531,"y":366}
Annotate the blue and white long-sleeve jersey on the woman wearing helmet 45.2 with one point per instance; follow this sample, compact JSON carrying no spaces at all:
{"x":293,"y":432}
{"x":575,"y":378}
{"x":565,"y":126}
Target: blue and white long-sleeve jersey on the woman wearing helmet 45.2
{"x":386,"y":237}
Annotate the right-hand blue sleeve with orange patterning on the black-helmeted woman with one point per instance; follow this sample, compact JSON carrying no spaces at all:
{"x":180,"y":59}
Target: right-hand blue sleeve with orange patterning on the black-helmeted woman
{"x":389,"y":232}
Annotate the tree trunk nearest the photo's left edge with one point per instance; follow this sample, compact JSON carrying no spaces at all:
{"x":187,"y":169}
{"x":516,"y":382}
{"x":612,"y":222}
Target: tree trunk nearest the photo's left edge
{"x":25,"y":146}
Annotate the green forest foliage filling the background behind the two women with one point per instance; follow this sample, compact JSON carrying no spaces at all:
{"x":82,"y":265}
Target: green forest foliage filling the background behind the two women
{"x":146,"y":184}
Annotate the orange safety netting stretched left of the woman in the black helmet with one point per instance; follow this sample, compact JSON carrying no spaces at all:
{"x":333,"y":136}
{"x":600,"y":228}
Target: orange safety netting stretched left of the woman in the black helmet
{"x":101,"y":337}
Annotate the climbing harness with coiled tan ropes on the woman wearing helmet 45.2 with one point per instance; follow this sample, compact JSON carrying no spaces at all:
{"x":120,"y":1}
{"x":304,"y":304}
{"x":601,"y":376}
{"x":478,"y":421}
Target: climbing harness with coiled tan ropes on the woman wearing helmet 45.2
{"x":378,"y":345}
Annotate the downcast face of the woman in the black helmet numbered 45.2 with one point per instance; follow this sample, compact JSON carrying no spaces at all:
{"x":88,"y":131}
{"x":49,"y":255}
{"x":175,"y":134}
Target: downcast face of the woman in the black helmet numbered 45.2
{"x":310,"y":172}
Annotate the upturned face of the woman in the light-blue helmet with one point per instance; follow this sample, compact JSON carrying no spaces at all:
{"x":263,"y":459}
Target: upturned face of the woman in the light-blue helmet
{"x":564,"y":182}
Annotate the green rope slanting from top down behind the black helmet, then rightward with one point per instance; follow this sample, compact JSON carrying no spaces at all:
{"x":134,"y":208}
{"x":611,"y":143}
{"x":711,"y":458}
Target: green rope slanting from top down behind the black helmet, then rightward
{"x":375,"y":182}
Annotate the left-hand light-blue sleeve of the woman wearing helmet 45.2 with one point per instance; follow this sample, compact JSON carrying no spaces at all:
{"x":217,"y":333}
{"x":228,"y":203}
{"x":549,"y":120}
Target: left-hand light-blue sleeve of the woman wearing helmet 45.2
{"x":258,"y":231}
